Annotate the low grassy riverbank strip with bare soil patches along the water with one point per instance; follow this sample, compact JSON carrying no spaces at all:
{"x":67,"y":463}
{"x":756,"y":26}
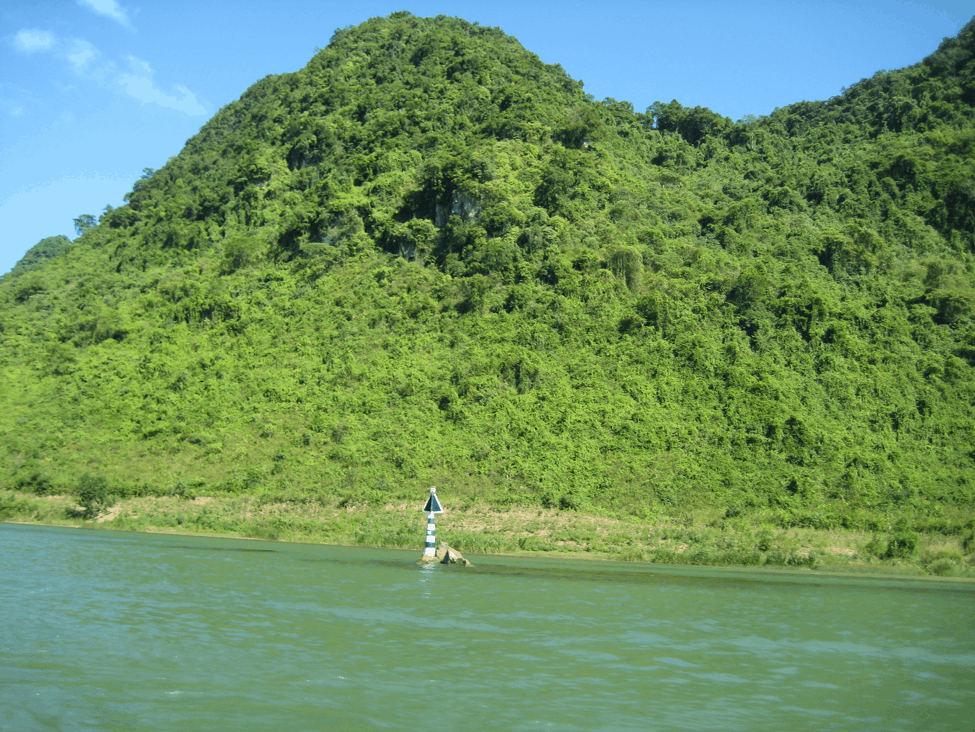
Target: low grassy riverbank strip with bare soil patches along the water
{"x":696,"y":538}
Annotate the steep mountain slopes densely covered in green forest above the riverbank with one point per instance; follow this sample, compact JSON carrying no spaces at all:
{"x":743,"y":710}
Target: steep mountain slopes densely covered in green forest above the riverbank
{"x":428,"y":258}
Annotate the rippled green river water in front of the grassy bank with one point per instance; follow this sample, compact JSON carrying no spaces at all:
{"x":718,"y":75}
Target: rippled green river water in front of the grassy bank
{"x":113,"y":631}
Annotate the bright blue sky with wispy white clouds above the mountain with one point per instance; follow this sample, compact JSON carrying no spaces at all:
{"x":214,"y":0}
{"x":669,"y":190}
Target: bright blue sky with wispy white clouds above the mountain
{"x":93,"y":91}
